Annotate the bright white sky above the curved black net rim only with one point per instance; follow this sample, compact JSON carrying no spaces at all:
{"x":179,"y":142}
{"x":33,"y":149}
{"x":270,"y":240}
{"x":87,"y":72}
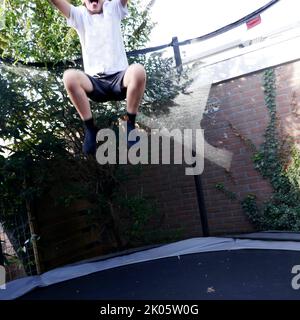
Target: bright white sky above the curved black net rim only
{"x":191,"y":18}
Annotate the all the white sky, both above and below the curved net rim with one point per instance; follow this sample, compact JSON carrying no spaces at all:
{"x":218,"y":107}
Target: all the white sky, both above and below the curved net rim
{"x":192,"y":18}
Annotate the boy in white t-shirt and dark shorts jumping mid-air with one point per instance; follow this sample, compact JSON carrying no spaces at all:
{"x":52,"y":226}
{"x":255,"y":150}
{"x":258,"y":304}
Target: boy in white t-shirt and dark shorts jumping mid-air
{"x":107,"y":75}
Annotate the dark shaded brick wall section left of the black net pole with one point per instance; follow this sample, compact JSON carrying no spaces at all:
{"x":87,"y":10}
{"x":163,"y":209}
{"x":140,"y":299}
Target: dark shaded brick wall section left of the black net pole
{"x":175,"y":197}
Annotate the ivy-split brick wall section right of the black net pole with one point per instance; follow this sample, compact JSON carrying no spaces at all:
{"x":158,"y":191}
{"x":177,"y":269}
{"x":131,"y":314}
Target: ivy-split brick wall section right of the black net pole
{"x":240,"y":117}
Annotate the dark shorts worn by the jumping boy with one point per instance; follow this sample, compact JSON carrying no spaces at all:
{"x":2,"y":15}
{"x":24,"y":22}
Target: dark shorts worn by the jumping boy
{"x":107,"y":87}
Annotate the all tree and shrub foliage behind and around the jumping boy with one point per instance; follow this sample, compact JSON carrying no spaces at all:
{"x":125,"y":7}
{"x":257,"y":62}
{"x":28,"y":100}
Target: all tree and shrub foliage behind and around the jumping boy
{"x":40,"y":131}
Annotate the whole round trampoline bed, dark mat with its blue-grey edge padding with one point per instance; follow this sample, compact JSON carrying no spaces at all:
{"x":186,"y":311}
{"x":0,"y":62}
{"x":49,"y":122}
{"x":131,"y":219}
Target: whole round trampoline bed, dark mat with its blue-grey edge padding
{"x":255,"y":266}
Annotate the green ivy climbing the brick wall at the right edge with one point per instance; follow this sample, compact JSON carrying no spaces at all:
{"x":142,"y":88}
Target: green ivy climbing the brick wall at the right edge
{"x":281,"y":167}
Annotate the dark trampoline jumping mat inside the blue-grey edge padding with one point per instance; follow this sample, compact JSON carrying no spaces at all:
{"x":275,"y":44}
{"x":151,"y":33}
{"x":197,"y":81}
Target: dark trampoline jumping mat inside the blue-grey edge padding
{"x":237,"y":274}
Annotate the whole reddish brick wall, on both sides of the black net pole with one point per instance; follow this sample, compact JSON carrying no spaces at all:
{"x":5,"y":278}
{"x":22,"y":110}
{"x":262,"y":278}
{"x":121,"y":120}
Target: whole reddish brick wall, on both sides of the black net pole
{"x":236,"y":117}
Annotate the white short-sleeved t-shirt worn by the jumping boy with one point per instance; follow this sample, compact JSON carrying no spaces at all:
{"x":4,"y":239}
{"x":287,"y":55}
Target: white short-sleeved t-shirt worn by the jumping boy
{"x":100,"y":36}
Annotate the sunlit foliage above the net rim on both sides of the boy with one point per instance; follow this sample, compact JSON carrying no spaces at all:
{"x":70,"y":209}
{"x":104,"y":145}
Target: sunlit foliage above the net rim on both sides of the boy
{"x":36,"y":32}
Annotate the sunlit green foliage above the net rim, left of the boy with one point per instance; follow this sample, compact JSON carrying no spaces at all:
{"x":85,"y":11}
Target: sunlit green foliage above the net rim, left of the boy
{"x":36,"y":32}
